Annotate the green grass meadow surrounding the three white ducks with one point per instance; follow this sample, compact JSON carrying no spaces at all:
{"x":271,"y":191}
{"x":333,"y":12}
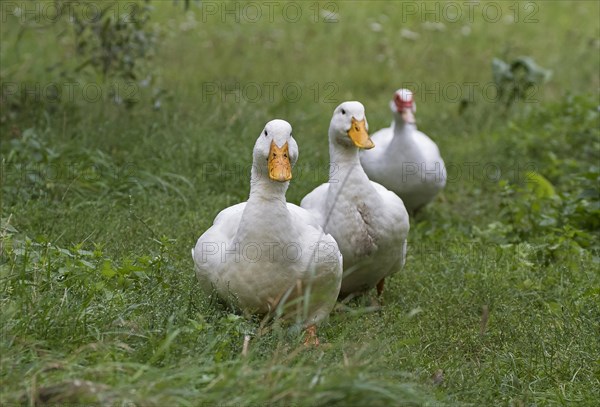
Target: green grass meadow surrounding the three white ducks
{"x":101,"y":205}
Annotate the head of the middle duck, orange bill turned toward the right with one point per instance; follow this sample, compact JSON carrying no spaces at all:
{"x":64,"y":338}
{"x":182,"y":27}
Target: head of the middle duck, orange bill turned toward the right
{"x":349,"y":126}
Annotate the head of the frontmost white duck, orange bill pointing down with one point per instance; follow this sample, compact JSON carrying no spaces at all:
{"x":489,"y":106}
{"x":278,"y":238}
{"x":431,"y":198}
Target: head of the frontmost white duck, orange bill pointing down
{"x":276,"y":151}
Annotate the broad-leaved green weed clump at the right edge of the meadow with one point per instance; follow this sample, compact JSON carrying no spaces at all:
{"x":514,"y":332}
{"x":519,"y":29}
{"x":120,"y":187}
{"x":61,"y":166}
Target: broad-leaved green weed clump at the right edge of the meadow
{"x":557,"y":204}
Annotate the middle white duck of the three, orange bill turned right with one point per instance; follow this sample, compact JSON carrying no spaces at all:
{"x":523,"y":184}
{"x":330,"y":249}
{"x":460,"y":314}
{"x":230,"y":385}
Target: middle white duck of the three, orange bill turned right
{"x":369,"y":223}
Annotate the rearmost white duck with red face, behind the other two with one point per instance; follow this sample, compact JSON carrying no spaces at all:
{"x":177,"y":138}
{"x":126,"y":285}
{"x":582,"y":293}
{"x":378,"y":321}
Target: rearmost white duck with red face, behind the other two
{"x":404,"y":159}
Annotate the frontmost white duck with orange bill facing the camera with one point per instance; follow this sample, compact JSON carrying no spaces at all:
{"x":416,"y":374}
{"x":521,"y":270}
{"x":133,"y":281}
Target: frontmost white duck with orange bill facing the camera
{"x":265,"y":255}
